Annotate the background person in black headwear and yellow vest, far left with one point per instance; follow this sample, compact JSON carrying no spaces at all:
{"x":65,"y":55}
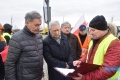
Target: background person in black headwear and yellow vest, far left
{"x":7,"y":32}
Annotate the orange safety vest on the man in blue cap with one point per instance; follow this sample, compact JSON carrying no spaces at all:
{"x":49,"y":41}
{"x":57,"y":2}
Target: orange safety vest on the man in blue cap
{"x":85,"y":44}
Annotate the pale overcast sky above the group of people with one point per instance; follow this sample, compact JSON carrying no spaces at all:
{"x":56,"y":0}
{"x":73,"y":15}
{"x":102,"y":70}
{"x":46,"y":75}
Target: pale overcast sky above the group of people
{"x":61,"y":10}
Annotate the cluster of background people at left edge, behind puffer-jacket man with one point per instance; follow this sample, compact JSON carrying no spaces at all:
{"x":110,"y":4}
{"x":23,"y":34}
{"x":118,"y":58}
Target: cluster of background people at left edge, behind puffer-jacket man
{"x":5,"y":36}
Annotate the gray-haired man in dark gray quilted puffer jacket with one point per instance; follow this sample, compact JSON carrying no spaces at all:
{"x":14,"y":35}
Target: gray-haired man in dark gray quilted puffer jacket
{"x":25,"y":54}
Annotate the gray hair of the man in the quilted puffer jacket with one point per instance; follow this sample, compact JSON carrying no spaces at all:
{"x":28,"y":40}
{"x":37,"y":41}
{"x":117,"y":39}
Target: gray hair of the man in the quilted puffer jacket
{"x":30,"y":16}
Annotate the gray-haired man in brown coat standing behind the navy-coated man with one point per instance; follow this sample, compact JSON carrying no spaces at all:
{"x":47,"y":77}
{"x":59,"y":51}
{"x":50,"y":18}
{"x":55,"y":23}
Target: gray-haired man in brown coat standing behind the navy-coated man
{"x":65,"y":29}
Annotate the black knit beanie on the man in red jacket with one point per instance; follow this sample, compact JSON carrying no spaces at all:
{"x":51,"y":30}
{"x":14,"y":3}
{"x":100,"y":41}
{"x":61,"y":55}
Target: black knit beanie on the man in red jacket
{"x":99,"y":23}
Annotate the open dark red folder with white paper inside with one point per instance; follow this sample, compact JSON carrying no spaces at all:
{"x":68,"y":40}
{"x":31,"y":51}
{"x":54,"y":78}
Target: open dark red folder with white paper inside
{"x":83,"y":69}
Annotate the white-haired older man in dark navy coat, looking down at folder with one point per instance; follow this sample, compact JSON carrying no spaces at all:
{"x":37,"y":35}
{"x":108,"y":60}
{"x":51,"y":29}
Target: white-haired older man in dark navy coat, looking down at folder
{"x":57,"y":52}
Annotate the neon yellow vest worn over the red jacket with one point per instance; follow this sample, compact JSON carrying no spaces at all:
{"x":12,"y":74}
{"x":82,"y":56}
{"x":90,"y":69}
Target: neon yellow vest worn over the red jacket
{"x":101,"y":51}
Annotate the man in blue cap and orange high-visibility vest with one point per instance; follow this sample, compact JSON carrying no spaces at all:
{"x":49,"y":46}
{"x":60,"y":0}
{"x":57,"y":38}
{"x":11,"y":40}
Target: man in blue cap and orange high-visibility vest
{"x":84,"y":39}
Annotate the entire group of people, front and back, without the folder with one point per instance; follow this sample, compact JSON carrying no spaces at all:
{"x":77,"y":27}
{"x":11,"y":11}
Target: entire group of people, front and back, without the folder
{"x":22,"y":54}
